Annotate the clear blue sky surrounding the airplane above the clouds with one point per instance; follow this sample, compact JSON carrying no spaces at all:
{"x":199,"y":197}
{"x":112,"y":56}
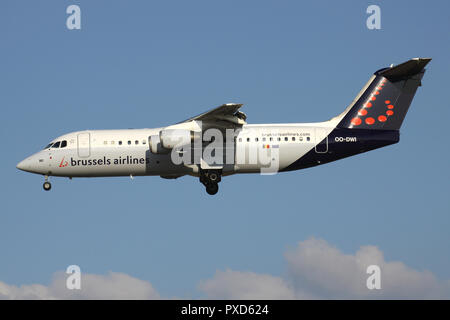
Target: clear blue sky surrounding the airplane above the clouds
{"x":143,"y":64}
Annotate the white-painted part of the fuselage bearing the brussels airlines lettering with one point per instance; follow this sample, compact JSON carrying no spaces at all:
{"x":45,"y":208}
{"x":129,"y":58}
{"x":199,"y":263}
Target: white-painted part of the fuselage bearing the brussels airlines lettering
{"x":102,"y":153}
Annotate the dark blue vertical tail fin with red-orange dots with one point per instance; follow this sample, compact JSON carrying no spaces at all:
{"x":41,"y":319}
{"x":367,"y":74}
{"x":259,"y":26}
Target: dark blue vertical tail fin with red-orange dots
{"x":386,"y":99}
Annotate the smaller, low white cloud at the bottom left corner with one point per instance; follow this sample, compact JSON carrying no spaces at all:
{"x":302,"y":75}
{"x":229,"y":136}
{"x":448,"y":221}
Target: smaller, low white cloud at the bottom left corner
{"x":111,"y":286}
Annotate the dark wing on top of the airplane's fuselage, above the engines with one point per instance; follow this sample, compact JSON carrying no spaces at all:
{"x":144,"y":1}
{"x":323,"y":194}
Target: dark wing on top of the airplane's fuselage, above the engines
{"x":226,"y":115}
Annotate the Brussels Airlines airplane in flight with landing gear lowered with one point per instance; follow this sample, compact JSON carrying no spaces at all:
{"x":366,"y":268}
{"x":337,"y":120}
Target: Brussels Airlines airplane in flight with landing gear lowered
{"x":197,"y":147}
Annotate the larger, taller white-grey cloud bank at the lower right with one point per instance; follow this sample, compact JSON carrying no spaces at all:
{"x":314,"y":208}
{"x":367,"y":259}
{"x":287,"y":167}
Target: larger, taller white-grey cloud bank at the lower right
{"x":318,"y":270}
